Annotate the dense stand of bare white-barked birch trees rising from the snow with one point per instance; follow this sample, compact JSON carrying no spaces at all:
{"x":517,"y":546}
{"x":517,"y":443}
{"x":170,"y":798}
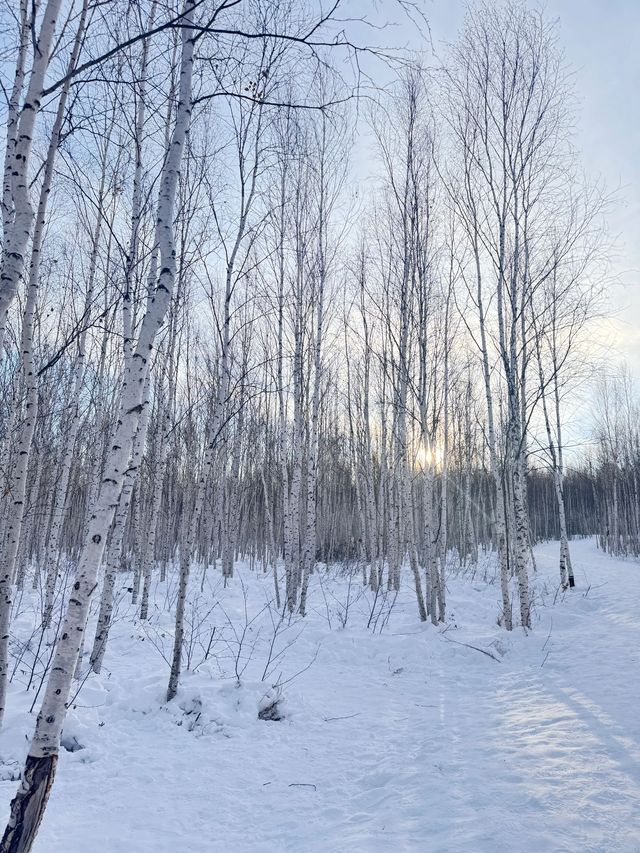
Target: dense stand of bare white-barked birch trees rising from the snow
{"x":272,"y":294}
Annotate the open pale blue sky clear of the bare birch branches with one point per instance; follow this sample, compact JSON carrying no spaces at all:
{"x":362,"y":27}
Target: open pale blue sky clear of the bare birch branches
{"x":601,"y":40}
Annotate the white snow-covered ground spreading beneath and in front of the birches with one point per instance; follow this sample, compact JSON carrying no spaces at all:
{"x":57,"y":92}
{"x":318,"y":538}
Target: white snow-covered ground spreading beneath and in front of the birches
{"x":395,"y":737}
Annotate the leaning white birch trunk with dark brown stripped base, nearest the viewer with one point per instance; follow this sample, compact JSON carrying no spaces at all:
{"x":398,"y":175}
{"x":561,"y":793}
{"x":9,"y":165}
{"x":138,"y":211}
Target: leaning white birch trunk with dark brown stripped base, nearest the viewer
{"x":29,"y":804}
